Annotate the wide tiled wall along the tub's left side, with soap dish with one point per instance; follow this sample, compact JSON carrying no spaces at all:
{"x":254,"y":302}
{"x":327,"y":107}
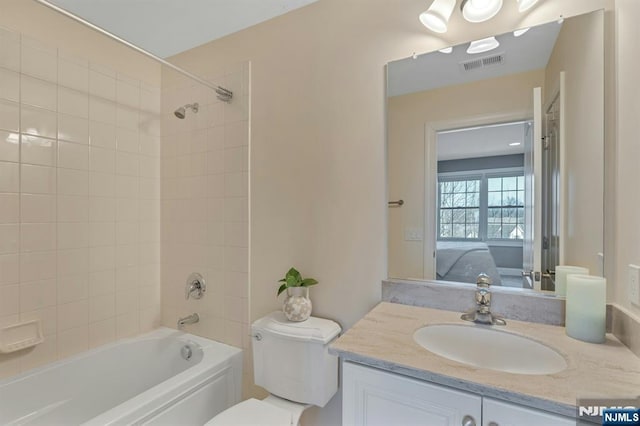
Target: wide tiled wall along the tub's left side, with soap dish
{"x":79,"y":201}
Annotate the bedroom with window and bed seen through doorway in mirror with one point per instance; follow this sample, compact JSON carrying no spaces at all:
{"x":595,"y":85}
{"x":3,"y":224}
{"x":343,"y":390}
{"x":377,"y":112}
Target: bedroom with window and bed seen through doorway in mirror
{"x":480,"y":200}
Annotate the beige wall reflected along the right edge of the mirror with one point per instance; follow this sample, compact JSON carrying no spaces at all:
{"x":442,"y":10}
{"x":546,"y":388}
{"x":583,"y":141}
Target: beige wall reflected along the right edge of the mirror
{"x":578,"y":52}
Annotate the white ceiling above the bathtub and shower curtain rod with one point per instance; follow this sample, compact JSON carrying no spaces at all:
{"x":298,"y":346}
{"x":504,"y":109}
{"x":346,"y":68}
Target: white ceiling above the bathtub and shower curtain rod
{"x":168,"y":27}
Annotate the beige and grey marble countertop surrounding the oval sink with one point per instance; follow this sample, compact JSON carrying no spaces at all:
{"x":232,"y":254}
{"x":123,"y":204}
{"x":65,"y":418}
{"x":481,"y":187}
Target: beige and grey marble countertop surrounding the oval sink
{"x":384,"y":339}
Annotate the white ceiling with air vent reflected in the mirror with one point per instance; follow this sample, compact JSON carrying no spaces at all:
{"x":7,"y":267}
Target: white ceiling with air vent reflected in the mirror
{"x":530,"y":51}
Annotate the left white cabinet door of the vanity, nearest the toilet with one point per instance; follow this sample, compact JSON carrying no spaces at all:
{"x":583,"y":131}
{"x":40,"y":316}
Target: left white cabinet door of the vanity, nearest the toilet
{"x":375,"y":397}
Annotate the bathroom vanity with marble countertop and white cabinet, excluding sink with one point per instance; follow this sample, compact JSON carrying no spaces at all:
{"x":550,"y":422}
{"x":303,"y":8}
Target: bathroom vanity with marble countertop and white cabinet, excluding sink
{"x":388,"y":378}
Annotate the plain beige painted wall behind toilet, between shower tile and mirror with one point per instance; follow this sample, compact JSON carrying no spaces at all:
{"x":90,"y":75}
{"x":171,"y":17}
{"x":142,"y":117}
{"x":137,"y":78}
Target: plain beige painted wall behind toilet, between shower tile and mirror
{"x":318,"y":178}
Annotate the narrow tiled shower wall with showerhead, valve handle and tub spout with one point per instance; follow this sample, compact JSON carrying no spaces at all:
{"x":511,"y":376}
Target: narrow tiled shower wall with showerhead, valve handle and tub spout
{"x":205,"y":166}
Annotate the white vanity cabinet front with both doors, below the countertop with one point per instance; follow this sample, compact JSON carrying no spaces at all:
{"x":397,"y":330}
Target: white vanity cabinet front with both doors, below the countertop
{"x":375,"y":397}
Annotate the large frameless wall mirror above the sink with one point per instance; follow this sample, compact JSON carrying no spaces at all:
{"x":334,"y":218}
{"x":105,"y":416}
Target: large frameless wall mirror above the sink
{"x":496,"y":157}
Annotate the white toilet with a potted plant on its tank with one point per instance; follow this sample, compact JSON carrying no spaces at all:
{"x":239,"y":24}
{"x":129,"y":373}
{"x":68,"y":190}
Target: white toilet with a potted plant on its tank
{"x":290,"y":360}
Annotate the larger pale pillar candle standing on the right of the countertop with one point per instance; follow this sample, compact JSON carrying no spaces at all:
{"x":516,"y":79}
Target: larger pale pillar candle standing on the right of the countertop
{"x":586,"y":308}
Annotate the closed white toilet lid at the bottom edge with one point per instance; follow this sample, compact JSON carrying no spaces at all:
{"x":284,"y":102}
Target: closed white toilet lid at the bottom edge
{"x":252,"y":412}
